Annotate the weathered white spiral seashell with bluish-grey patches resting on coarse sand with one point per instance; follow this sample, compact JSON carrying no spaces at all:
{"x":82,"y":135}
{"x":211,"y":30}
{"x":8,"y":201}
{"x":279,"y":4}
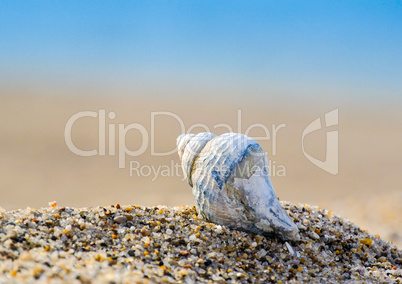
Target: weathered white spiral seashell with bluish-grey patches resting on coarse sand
{"x":231,"y":184}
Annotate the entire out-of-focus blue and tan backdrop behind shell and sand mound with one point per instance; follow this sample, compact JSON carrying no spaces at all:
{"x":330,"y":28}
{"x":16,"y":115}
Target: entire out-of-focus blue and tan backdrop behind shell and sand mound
{"x":203,"y":62}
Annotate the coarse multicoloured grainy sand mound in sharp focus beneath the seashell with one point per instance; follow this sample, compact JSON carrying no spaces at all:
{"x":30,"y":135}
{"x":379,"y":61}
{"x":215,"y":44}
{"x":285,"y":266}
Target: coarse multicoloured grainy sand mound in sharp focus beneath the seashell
{"x":163,"y":244}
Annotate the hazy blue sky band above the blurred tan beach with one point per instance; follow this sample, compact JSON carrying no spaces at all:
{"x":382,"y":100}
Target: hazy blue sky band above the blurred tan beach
{"x":290,"y":47}
